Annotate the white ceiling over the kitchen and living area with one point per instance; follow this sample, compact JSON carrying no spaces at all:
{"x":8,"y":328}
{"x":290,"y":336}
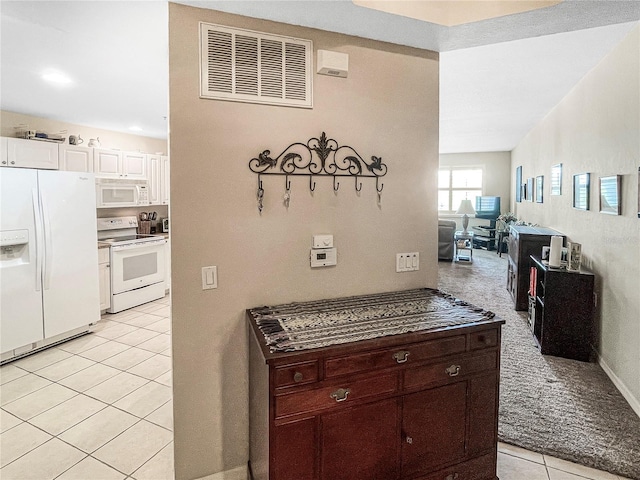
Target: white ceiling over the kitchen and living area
{"x":499,"y":77}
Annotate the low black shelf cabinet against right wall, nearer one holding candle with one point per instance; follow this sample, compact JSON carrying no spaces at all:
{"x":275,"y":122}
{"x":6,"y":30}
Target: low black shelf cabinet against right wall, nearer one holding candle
{"x":561,"y":311}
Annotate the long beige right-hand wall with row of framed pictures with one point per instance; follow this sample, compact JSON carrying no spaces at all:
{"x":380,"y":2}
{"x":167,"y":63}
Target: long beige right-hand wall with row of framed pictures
{"x":596,"y":129}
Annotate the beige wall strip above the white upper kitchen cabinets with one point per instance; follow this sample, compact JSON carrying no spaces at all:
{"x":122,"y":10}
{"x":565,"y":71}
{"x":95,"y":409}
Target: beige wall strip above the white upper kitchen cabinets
{"x":108,"y":138}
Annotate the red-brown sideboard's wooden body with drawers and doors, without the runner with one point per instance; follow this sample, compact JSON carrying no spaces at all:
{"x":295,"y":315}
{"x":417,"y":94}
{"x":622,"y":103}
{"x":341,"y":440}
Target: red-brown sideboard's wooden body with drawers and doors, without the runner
{"x":419,"y":406}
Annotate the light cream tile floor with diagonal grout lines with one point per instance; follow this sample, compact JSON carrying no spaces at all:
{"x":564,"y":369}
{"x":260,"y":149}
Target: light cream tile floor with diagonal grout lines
{"x":100,"y":407}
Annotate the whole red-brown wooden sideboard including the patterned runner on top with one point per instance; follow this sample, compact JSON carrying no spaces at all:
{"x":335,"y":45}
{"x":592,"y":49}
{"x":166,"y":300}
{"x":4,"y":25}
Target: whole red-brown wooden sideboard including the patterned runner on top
{"x":419,"y":405}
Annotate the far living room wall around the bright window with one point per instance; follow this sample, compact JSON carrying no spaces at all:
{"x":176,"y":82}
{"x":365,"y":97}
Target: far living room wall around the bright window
{"x":496,"y":179}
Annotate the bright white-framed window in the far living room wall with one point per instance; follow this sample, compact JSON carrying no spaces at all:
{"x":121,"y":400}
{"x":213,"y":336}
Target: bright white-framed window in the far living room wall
{"x":457,"y":183}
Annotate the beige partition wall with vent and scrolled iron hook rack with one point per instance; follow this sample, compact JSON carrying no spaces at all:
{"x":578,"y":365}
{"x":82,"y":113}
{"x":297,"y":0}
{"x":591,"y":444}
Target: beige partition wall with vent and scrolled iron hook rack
{"x":388,"y":107}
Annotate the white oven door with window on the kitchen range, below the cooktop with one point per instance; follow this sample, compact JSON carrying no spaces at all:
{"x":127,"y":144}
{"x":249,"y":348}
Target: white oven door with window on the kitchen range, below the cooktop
{"x":137,"y":265}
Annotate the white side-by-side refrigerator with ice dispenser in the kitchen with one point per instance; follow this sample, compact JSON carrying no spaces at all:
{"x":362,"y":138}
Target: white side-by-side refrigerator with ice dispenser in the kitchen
{"x":48,"y":258}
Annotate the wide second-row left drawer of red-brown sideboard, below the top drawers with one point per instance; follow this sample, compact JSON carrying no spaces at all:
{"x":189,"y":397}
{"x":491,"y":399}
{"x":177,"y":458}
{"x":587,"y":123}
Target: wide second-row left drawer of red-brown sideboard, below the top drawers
{"x":337,"y":394}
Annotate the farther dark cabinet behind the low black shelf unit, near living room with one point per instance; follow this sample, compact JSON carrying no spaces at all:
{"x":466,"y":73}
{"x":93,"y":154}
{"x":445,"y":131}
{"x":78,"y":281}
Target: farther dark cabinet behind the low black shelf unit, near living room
{"x":522,"y":242}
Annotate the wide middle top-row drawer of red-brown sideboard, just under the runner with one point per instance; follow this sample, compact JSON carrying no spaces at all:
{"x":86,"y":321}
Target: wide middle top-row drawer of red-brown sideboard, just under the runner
{"x":406,"y":354}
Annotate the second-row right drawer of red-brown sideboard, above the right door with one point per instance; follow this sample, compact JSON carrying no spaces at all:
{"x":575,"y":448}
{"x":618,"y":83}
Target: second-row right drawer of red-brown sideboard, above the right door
{"x":449,"y":370}
